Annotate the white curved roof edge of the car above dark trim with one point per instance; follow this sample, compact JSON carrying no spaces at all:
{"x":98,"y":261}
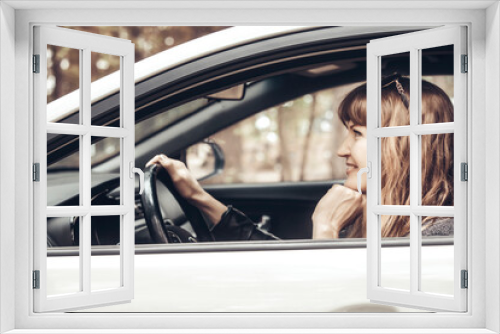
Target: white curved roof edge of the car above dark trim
{"x":168,"y":59}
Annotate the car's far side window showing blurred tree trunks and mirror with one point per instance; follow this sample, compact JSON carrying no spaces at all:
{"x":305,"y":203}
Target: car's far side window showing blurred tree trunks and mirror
{"x":294,"y":141}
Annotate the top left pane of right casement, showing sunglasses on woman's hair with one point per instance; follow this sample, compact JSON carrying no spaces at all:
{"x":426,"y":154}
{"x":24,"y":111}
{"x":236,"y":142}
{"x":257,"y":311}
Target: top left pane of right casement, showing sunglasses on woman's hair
{"x":395,"y":90}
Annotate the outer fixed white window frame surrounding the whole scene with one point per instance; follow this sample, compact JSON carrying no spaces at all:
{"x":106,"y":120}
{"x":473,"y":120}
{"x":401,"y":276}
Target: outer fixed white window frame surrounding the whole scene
{"x":482,"y":316}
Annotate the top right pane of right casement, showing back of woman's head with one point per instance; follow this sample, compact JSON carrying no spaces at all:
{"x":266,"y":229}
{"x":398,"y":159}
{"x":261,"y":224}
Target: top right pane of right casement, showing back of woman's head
{"x":437,"y":90}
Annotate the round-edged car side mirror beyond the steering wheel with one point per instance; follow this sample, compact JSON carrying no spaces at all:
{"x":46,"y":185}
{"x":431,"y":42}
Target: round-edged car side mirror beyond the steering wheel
{"x":205,"y":159}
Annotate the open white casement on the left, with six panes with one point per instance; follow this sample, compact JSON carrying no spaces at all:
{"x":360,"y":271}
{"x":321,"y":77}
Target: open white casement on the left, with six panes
{"x":85,"y":43}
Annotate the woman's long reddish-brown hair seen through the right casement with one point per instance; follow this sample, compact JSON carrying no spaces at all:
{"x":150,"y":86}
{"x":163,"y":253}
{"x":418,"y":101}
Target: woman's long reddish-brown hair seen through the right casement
{"x":436,"y":152}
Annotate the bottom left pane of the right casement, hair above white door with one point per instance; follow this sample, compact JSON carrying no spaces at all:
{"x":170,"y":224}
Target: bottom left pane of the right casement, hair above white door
{"x":395,"y":252}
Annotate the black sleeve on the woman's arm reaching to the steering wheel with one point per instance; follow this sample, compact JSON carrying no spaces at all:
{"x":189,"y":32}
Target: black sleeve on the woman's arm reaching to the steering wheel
{"x":235,"y":225}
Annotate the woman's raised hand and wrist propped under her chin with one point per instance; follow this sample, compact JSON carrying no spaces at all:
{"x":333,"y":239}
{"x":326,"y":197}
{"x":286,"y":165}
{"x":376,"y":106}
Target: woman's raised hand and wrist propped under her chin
{"x":339,"y":204}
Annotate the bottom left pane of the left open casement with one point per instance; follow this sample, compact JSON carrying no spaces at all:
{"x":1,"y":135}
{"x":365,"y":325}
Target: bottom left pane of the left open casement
{"x":63,"y":256}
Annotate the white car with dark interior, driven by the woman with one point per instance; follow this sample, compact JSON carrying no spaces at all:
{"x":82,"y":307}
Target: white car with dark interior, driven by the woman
{"x":192,"y":103}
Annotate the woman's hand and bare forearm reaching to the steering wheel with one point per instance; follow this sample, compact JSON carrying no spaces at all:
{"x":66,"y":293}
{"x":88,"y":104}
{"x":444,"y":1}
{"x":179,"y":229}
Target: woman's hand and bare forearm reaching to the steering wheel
{"x":189,"y":188}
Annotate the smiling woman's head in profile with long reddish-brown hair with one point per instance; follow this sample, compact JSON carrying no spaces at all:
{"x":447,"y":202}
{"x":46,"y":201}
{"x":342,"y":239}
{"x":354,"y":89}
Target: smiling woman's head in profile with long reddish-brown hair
{"x":395,"y":182}
